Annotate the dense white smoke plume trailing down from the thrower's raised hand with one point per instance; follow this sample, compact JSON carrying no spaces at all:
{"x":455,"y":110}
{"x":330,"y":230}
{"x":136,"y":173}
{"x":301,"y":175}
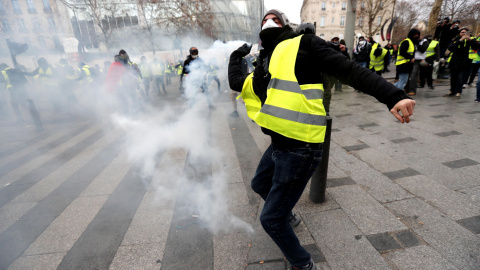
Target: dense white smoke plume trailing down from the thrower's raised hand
{"x":164,"y":129}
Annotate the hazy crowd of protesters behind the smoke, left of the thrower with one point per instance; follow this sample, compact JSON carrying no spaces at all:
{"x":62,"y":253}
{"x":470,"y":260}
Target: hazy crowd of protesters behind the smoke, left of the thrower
{"x":121,"y":85}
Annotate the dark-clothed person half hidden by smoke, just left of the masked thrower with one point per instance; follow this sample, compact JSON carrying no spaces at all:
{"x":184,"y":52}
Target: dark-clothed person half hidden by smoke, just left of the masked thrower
{"x":196,"y":70}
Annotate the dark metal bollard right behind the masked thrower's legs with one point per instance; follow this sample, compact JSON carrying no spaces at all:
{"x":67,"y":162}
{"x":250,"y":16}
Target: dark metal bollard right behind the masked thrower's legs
{"x":318,"y":183}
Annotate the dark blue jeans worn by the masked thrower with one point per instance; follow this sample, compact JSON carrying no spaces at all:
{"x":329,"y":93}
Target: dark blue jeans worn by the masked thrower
{"x":280,"y":179}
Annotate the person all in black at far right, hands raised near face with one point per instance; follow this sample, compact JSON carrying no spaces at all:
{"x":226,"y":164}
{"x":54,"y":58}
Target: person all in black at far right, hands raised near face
{"x":460,"y":48}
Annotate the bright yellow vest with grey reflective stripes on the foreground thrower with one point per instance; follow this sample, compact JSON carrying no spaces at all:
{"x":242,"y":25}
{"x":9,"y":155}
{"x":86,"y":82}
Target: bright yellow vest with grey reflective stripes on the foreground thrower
{"x":292,"y":110}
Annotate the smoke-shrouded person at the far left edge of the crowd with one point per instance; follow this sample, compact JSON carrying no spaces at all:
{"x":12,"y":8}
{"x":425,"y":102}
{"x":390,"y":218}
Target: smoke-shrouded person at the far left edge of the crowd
{"x":16,"y":85}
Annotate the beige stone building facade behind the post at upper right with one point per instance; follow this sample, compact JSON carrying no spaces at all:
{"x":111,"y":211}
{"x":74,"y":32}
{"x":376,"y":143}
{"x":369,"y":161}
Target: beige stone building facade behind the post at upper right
{"x":330,"y":16}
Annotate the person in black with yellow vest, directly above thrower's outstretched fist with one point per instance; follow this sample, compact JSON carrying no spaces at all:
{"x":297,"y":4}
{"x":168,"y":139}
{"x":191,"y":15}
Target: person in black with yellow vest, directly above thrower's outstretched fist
{"x":405,"y":57}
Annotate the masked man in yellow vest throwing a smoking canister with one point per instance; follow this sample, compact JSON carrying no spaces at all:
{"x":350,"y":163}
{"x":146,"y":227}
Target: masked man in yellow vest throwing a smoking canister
{"x":283,"y":95}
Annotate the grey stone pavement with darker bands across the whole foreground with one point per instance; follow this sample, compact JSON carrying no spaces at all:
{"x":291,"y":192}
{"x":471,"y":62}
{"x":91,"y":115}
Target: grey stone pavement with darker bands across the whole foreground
{"x":399,"y":196}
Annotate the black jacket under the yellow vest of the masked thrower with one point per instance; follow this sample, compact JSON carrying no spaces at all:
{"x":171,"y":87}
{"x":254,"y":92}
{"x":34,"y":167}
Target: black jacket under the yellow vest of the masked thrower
{"x":315,"y":57}
